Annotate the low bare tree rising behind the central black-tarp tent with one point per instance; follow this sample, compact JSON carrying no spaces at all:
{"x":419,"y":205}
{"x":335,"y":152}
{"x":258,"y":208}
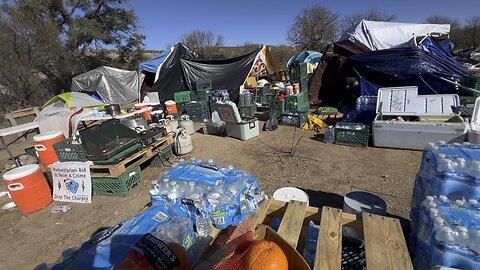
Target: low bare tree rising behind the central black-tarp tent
{"x":202,"y":41}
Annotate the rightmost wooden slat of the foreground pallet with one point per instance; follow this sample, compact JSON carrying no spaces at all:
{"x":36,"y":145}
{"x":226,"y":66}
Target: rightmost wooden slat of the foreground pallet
{"x":385,"y":246}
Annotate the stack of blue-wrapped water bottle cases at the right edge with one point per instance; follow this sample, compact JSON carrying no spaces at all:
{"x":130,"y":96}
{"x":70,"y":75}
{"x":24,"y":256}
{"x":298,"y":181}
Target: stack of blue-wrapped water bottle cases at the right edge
{"x":445,"y":209}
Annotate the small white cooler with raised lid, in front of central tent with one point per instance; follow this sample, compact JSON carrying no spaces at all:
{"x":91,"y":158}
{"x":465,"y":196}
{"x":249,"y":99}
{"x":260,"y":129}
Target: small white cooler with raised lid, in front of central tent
{"x":236,"y":126}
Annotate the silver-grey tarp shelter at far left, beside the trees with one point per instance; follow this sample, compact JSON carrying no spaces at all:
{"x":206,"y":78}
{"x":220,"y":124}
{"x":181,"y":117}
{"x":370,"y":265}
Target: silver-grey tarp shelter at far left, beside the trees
{"x":113,"y":85}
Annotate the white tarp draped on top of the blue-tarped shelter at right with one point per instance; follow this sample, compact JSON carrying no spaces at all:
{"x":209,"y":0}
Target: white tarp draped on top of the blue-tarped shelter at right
{"x":387,"y":35}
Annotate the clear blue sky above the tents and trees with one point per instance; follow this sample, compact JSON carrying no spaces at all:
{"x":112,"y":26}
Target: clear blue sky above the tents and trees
{"x":267,"y":21}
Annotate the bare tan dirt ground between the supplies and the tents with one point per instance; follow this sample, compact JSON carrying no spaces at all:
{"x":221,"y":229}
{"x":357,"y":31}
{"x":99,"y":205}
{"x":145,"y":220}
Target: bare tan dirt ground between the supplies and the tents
{"x":325,"y":171}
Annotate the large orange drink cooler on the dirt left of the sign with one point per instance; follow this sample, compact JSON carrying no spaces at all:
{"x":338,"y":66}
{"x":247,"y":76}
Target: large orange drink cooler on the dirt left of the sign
{"x":28,"y":188}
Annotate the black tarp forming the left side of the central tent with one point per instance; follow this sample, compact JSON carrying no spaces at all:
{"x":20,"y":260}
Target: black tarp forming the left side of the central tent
{"x":170,"y":79}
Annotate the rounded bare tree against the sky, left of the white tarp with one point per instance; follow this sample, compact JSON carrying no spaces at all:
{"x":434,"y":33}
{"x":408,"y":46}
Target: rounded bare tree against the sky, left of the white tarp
{"x":313,"y":28}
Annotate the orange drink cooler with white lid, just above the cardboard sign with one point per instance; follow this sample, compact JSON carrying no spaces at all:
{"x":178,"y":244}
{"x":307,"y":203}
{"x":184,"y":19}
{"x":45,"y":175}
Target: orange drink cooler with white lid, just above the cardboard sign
{"x":44,"y":145}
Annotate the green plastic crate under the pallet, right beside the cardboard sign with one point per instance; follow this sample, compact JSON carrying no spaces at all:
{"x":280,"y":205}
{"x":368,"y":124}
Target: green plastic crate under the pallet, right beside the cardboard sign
{"x":117,"y":187}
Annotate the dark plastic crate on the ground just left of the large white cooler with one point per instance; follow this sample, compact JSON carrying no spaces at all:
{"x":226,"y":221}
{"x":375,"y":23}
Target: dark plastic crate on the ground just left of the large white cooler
{"x":346,"y":134}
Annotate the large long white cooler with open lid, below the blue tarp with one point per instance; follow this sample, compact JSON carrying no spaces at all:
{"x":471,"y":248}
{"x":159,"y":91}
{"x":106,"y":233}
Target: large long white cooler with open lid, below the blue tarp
{"x":436,"y":122}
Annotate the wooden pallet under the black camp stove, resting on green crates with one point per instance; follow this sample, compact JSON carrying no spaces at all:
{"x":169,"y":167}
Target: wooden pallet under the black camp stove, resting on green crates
{"x":136,"y":159}
